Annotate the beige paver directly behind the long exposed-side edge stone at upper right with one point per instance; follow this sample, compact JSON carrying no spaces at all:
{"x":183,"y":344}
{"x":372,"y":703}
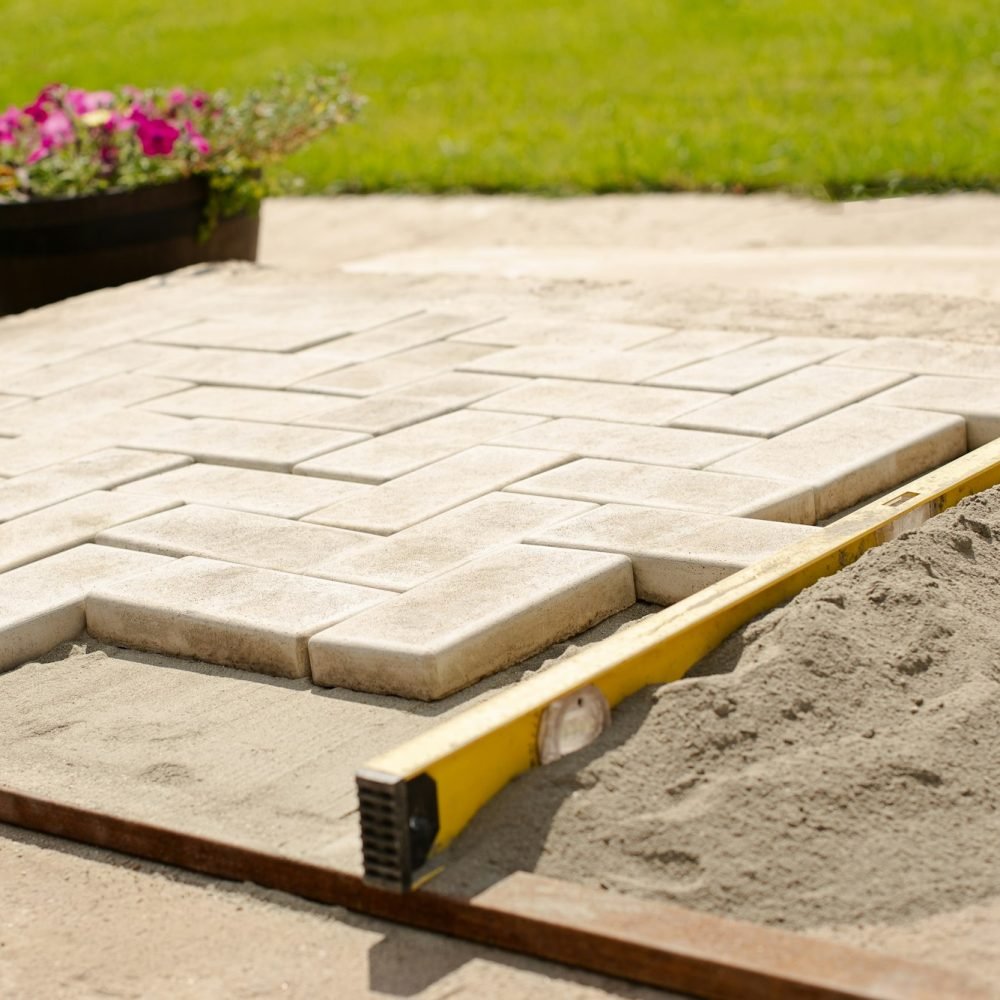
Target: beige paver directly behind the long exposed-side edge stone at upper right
{"x":786,"y":402}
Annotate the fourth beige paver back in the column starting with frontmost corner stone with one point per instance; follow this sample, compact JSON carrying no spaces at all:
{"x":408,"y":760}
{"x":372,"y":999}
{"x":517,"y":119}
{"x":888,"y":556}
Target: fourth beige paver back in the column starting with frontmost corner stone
{"x":391,"y":455}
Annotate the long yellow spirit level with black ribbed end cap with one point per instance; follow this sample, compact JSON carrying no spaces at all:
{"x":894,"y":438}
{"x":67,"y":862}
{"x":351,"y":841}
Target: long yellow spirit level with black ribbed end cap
{"x":415,"y":799}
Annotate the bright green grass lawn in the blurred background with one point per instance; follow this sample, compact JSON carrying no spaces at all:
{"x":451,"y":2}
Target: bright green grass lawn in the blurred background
{"x":843,"y":98}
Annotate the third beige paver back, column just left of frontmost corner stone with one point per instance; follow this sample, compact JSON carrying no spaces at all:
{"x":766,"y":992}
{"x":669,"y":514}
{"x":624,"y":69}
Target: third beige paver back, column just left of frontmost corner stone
{"x":275,"y":493}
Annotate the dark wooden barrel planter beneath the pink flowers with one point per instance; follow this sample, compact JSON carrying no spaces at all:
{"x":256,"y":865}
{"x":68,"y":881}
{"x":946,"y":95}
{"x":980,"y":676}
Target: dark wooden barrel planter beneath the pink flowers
{"x":52,"y":249}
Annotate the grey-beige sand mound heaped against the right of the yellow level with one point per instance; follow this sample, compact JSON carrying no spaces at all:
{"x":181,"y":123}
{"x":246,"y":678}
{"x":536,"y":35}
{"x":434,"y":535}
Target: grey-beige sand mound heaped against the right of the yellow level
{"x":847,"y":772}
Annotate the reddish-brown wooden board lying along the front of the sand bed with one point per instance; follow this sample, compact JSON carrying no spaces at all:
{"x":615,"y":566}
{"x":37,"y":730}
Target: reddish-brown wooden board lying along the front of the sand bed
{"x":665,"y":946}
